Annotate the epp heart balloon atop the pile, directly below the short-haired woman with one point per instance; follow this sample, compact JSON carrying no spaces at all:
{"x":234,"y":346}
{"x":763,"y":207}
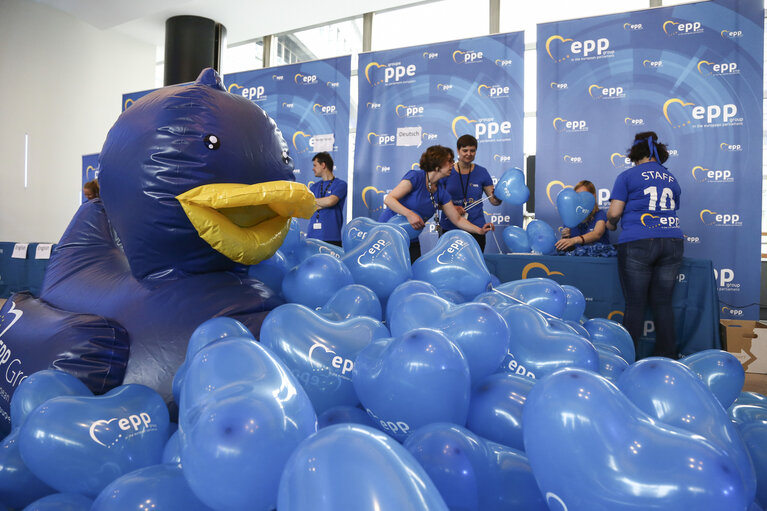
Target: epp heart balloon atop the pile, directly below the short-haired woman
{"x":455,"y":264}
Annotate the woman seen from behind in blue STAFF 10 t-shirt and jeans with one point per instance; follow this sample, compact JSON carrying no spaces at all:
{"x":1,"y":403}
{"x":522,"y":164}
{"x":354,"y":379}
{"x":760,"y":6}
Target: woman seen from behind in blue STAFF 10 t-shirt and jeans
{"x":650,"y":246}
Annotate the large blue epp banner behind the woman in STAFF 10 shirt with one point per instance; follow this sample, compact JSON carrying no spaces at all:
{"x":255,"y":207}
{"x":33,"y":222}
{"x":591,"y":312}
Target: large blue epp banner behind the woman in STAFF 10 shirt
{"x":691,"y":73}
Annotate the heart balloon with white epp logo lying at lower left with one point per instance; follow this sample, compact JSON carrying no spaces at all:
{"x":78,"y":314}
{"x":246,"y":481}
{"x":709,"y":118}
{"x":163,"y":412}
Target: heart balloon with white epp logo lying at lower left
{"x":81,"y":444}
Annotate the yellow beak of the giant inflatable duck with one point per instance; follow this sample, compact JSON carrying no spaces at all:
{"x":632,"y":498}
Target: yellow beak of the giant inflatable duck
{"x":246,"y":223}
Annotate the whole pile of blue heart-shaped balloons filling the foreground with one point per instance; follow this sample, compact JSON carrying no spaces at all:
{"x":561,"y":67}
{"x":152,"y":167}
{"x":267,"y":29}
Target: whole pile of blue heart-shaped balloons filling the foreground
{"x":383,"y":385}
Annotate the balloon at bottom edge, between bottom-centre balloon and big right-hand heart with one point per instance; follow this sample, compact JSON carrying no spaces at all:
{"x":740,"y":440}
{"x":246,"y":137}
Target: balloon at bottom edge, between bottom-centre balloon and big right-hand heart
{"x":474,"y":474}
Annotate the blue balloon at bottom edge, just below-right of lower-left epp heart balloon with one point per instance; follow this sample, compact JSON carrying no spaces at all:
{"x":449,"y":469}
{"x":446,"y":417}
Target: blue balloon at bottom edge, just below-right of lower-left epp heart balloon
{"x":160,"y":487}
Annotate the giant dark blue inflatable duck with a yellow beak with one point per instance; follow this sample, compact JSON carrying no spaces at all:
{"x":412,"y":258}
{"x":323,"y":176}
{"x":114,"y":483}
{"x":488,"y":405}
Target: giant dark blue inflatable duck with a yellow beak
{"x":196,"y":183}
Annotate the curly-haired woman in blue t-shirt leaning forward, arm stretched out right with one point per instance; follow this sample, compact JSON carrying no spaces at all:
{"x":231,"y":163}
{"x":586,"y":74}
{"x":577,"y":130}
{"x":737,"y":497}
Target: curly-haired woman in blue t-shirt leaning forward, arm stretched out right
{"x":420,"y":195}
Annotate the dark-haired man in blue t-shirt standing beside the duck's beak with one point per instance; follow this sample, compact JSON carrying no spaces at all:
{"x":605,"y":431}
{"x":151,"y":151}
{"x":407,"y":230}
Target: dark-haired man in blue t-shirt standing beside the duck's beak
{"x":330,"y":192}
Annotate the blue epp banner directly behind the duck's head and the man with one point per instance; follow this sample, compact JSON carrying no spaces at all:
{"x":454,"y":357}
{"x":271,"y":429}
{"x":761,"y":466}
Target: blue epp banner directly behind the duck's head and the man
{"x":309,"y":102}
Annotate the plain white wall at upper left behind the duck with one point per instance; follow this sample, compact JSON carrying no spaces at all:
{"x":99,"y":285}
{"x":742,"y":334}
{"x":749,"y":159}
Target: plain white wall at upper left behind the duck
{"x":61,"y":82}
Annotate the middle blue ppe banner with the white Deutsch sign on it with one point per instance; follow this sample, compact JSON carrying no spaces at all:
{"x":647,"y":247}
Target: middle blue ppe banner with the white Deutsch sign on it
{"x":412,"y":98}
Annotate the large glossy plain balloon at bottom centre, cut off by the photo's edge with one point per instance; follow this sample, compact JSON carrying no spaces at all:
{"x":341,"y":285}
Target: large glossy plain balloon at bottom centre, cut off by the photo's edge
{"x":340,"y":468}
